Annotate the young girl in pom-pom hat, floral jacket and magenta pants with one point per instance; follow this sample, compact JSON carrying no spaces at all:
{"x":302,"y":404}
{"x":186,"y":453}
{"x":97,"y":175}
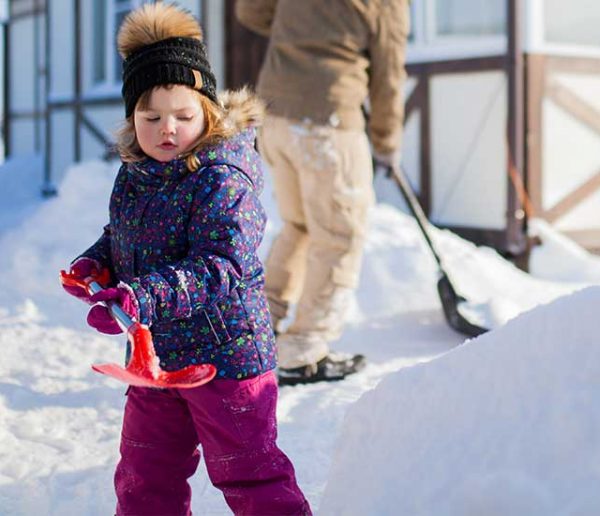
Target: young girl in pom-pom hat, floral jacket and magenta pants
{"x":185,"y":224}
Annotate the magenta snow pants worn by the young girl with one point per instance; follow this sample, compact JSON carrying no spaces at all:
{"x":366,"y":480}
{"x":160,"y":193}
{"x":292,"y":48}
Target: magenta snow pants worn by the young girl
{"x":233,"y":421}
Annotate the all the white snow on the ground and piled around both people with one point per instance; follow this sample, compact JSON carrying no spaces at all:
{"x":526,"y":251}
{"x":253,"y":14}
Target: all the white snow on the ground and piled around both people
{"x":505,"y":424}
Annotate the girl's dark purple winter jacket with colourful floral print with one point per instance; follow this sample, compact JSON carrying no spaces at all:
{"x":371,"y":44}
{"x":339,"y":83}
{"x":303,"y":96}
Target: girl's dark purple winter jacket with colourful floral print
{"x":186,"y":242}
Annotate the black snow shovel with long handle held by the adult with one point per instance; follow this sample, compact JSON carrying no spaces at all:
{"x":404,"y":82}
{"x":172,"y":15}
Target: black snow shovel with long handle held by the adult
{"x":451,"y":301}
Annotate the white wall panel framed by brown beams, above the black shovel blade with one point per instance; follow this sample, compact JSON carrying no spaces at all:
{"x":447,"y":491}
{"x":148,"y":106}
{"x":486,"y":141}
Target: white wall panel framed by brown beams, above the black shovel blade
{"x":468,"y":124}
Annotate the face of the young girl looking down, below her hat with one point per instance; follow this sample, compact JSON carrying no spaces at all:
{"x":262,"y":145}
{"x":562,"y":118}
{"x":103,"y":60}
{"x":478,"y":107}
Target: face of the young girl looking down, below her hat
{"x":171,"y":124}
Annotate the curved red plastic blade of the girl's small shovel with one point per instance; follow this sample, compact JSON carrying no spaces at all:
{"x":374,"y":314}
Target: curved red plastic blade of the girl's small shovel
{"x":186,"y":378}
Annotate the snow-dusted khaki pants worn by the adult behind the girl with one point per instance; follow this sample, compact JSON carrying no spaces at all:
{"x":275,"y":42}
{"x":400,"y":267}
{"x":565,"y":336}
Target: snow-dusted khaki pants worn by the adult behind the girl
{"x":323,"y":182}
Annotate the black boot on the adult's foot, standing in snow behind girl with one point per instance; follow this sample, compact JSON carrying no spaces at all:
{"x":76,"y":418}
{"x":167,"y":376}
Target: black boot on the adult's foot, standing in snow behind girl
{"x":335,"y":366}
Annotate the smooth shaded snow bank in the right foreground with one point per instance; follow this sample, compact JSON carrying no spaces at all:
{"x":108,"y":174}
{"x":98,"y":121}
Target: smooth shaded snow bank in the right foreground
{"x":505,"y":424}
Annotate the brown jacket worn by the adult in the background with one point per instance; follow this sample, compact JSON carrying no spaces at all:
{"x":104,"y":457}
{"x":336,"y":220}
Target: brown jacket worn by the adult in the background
{"x":325,"y":57}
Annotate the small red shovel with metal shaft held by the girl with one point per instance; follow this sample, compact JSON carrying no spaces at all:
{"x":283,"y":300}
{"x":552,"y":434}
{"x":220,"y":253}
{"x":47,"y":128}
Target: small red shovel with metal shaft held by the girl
{"x":143,"y":369}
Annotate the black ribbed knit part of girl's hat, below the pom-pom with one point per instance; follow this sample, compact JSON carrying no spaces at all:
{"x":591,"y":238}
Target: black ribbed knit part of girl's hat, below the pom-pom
{"x":169,"y":61}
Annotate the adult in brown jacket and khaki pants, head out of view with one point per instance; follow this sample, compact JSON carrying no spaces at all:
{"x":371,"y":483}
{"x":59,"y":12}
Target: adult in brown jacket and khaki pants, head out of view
{"x":324,"y":60}
